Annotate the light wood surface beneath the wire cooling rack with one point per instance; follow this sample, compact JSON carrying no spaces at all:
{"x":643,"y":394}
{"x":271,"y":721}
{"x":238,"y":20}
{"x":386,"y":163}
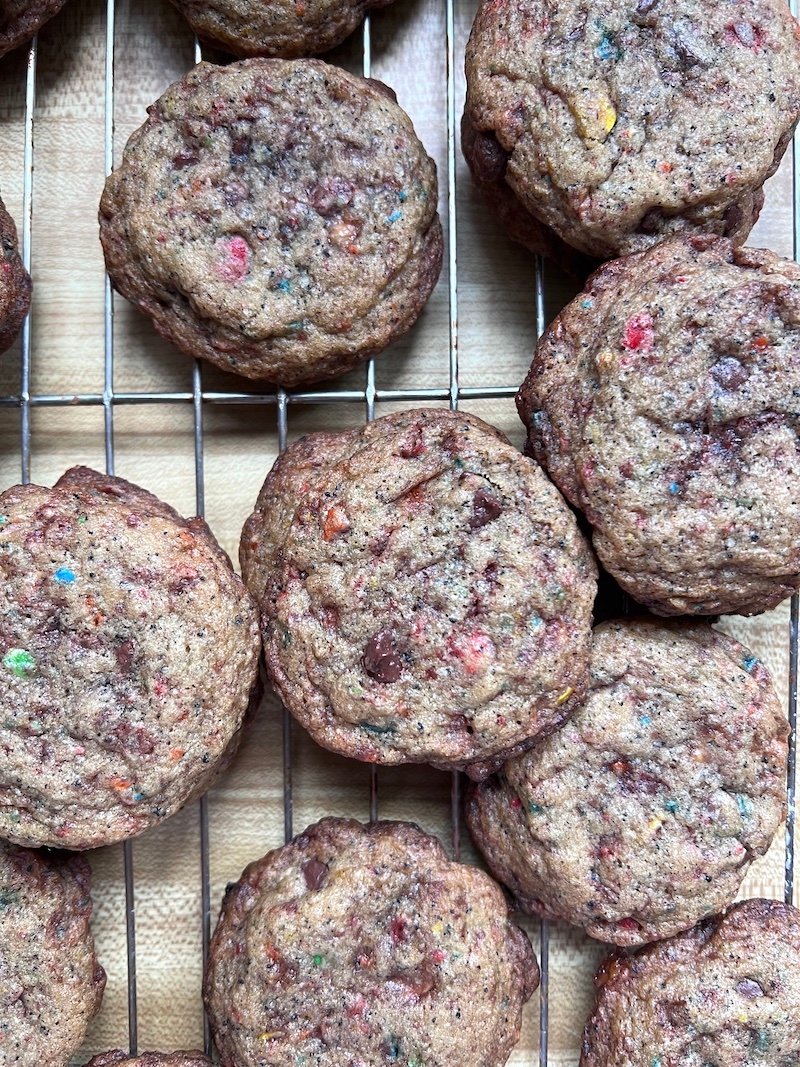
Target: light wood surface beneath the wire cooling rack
{"x":155,"y":448}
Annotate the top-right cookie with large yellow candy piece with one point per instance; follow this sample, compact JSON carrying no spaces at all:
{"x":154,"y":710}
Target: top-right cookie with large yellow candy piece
{"x":618,"y":123}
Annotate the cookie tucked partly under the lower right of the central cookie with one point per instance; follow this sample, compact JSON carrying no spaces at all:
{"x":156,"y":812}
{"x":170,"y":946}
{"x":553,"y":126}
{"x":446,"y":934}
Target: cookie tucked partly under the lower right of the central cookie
{"x":643,"y":814}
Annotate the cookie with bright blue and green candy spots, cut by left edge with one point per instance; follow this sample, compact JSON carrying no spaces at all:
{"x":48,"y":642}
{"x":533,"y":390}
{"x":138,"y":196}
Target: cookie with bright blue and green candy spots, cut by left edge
{"x":129,"y":652}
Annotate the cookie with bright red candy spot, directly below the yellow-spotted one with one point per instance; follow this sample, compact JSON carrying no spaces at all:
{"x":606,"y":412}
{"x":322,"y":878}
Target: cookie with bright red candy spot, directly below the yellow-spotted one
{"x":663,"y":403}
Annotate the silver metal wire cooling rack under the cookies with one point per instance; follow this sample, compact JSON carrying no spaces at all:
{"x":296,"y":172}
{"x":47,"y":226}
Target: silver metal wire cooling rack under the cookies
{"x":109,"y":400}
